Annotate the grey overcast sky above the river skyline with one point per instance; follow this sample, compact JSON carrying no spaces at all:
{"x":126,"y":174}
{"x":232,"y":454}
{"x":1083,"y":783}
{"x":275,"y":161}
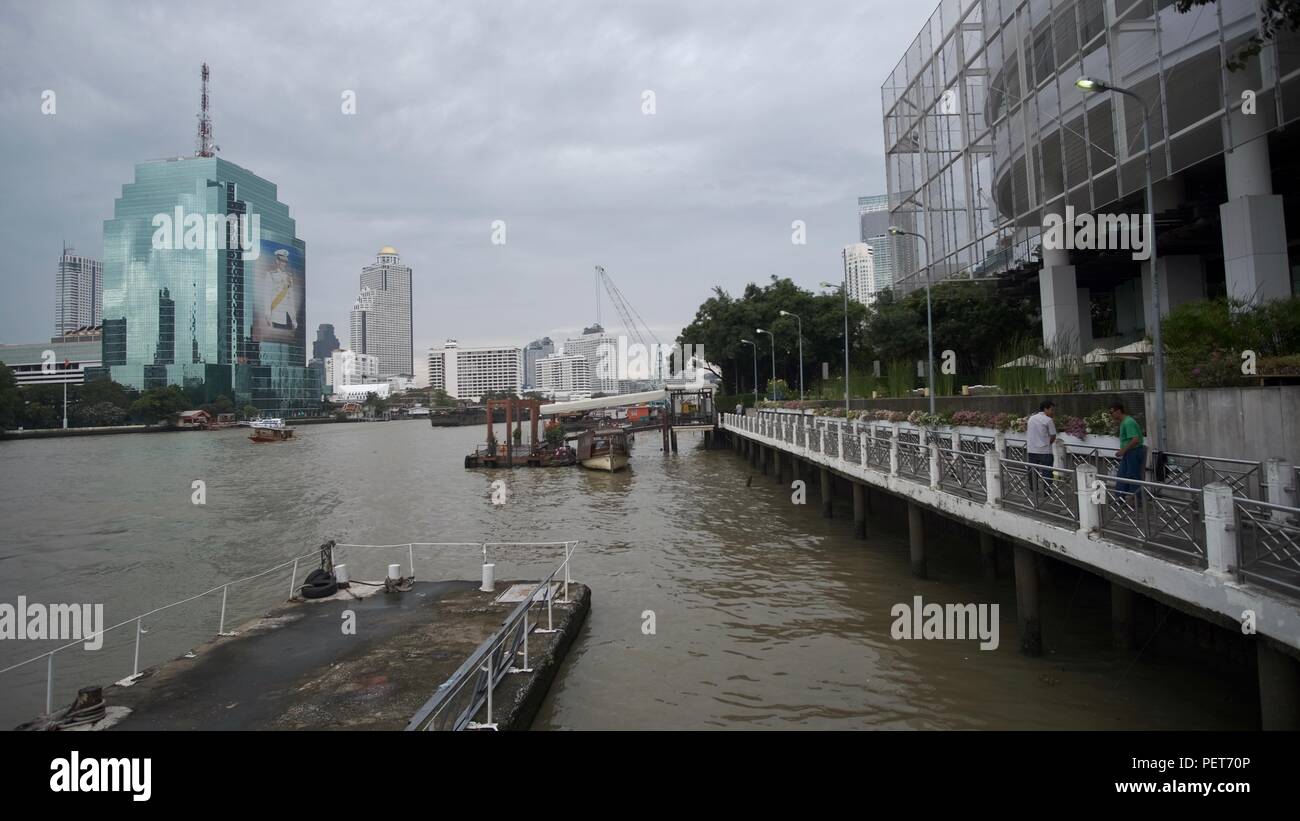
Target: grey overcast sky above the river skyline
{"x":469,"y":112}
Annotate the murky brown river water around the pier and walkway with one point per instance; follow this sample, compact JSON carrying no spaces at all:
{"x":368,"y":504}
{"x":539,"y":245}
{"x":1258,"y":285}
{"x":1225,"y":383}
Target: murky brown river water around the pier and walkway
{"x":765,"y":614}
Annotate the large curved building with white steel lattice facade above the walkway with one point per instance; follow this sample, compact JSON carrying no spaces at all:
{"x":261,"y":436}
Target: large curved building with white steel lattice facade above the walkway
{"x":987,"y":136}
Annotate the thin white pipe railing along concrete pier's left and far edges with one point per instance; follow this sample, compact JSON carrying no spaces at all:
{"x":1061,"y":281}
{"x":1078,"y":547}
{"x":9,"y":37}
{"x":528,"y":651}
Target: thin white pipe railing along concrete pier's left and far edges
{"x":142,"y":628}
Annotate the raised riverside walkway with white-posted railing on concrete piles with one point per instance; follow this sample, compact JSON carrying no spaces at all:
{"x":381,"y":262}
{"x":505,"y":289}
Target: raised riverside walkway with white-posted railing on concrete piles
{"x":1219,"y":538}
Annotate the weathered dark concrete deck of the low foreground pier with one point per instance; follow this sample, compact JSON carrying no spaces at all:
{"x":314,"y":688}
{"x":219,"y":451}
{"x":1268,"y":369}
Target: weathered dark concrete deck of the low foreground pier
{"x":296,"y":670}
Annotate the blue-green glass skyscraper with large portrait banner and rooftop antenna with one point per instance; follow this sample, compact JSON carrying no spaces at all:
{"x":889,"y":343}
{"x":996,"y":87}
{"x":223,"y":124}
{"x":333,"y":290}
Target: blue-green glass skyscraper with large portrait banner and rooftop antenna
{"x":205,"y":288}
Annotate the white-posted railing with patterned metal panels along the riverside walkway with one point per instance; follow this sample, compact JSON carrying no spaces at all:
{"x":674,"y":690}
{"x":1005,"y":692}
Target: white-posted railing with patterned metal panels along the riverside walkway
{"x":1197,"y":525}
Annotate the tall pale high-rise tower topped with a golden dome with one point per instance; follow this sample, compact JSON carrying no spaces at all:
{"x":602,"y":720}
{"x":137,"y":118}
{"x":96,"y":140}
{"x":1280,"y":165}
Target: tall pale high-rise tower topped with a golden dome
{"x":384,"y":327}
